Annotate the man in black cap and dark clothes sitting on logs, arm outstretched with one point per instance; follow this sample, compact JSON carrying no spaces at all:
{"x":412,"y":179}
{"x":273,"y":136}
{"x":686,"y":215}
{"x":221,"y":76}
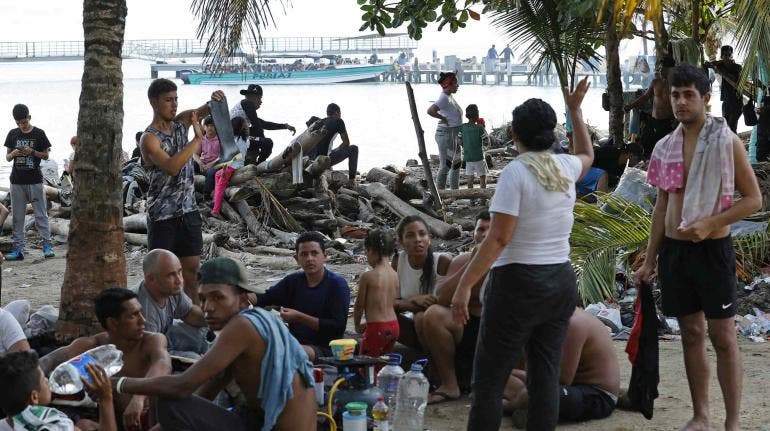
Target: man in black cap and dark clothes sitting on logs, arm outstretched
{"x":260,"y":147}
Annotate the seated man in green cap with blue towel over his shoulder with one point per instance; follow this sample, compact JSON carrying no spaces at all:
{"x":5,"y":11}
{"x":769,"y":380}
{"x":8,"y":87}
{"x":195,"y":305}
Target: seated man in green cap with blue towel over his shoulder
{"x":272,"y":375}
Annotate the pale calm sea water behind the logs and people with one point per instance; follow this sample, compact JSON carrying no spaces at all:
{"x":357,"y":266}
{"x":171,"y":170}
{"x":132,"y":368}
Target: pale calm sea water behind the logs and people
{"x":377,"y":114}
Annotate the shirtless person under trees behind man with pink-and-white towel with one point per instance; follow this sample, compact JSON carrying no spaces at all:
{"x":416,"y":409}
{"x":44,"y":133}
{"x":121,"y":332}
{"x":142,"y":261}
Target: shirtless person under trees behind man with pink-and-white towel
{"x":662,"y":122}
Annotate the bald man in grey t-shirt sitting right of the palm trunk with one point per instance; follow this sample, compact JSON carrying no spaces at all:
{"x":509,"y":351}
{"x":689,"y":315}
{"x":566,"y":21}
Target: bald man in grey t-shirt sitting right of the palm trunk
{"x":163,"y":300}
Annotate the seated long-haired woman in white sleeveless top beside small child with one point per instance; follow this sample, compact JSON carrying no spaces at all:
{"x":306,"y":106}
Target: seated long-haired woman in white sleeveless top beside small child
{"x":418,"y":268}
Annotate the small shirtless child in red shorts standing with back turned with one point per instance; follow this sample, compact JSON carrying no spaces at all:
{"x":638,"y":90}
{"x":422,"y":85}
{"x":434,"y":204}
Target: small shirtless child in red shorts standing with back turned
{"x":376,"y":291}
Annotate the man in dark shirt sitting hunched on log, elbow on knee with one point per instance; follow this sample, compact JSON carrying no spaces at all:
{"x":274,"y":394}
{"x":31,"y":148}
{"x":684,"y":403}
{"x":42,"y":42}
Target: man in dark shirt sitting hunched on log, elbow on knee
{"x":334,"y":126}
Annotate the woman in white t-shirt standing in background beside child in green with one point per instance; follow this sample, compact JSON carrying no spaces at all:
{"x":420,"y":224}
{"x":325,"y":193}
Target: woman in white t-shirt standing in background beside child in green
{"x":450,"y":116}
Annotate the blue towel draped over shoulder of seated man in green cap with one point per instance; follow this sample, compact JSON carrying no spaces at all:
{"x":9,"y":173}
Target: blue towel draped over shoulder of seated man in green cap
{"x":283,"y":357}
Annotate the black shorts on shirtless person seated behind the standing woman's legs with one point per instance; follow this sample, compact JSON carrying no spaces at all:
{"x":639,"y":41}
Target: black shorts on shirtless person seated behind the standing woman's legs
{"x":584,"y":402}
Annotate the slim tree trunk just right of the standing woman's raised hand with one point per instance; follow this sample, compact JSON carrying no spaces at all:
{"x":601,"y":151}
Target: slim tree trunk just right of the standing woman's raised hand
{"x":615,"y":84}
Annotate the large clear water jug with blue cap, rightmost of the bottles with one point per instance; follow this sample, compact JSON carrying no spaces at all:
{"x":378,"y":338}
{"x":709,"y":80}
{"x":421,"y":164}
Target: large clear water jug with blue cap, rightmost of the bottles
{"x":412,"y":399}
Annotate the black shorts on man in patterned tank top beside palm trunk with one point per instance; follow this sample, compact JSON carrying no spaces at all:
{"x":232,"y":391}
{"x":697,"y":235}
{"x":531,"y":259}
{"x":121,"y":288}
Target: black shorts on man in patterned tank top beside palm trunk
{"x":180,"y":235}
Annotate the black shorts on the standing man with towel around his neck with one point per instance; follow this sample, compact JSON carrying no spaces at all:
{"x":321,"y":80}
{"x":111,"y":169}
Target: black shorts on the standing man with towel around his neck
{"x":698,"y":277}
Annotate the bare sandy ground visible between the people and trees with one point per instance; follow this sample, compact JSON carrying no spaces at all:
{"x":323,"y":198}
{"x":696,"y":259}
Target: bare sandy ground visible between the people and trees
{"x":39,"y":280}
